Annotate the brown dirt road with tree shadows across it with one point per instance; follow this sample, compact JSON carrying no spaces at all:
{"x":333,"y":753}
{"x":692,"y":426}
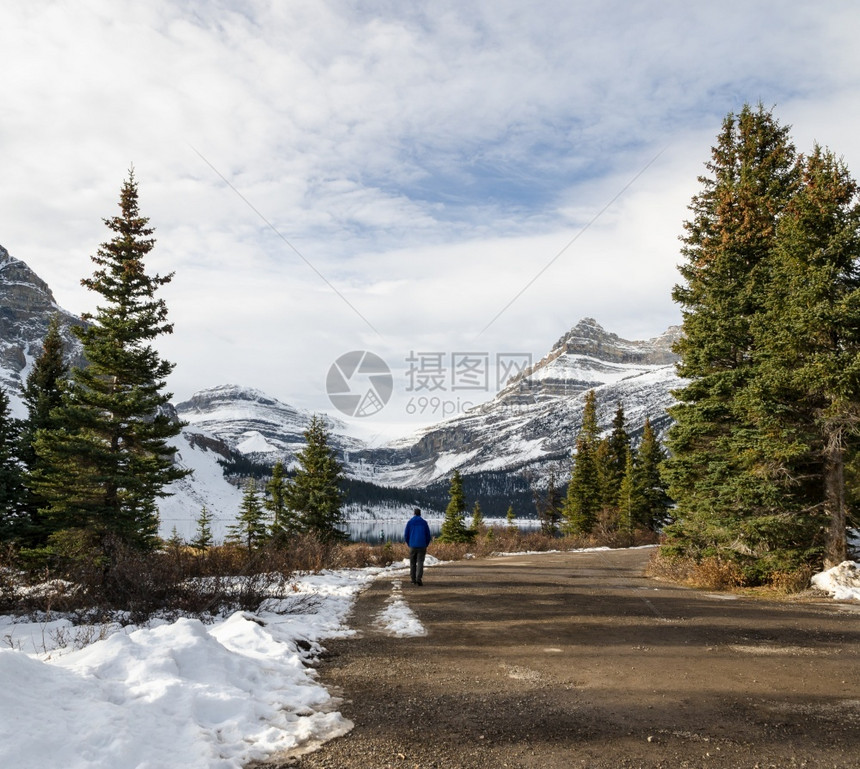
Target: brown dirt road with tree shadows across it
{"x":577,"y":660}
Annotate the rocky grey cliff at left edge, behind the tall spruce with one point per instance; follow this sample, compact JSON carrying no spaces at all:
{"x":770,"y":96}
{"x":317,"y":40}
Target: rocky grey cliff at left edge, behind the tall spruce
{"x":26,"y":308}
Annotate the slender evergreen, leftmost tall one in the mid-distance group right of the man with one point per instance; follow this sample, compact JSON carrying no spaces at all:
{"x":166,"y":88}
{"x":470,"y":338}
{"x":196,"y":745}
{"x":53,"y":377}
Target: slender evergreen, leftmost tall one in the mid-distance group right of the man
{"x":583,"y":492}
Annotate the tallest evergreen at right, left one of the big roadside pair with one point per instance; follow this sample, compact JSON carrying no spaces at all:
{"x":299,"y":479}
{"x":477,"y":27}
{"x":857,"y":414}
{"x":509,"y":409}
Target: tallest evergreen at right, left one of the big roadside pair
{"x":728,"y":247}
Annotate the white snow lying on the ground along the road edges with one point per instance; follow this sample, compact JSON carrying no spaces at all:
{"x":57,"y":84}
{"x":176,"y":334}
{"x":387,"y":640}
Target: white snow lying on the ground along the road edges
{"x":198,"y":696}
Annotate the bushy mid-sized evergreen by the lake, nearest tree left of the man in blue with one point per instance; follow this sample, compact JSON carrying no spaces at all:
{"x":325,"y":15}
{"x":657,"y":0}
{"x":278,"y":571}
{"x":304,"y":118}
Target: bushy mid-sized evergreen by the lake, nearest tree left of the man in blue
{"x":314,"y":493}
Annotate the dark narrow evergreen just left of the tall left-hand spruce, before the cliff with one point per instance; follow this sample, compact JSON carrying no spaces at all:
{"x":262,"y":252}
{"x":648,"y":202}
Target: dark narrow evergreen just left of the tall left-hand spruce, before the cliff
{"x":42,"y":395}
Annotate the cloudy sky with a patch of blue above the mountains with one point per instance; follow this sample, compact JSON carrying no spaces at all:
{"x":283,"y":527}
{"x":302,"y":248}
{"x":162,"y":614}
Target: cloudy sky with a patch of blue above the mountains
{"x":416,"y":180}
